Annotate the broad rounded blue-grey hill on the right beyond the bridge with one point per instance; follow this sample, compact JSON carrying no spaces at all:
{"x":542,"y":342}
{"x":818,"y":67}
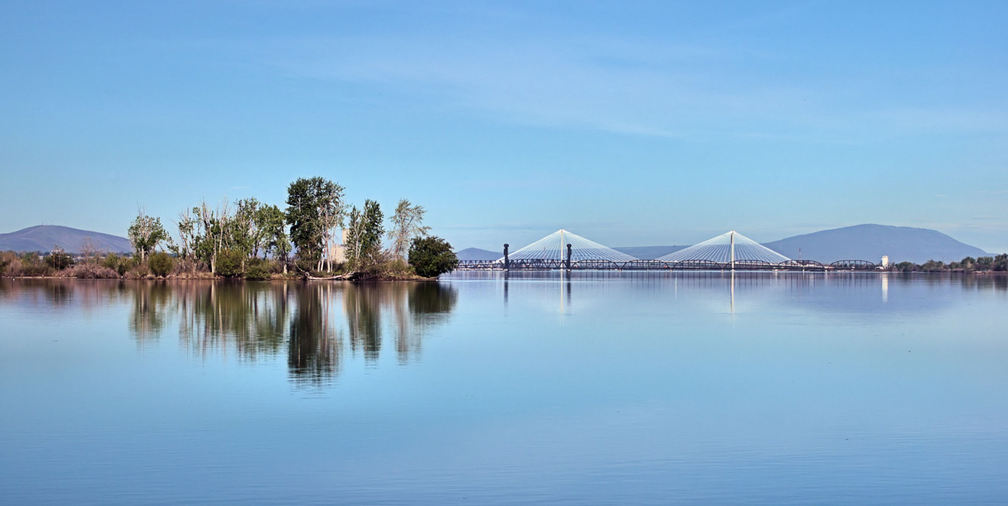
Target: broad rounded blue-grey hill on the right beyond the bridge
{"x":870,"y":242}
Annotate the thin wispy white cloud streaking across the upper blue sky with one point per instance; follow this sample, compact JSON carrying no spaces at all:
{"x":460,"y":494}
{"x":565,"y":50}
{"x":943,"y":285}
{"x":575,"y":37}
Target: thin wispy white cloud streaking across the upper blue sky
{"x":634,"y":87}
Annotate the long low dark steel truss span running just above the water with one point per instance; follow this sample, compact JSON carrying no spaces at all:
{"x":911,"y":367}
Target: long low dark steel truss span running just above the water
{"x":653,"y":266}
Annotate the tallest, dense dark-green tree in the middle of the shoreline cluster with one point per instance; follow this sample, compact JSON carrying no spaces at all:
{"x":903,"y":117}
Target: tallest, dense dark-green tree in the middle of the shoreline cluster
{"x":315,"y":209}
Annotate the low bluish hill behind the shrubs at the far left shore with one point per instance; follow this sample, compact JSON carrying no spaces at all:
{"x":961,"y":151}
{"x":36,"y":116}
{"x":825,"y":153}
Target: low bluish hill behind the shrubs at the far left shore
{"x":46,"y":237}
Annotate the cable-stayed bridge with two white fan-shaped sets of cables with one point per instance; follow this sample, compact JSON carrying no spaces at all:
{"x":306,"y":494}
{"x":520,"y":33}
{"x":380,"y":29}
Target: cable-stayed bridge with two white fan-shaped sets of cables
{"x":563,"y":250}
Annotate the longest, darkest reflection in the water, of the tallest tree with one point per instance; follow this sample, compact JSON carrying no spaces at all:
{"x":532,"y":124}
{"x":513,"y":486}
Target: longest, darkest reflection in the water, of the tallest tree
{"x":314,"y":347}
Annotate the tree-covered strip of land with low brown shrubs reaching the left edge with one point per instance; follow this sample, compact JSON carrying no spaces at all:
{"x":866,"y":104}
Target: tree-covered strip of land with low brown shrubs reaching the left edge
{"x":254,"y":240}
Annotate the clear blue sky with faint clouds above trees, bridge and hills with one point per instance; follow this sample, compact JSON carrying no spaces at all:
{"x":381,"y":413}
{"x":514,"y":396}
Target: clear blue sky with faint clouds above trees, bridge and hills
{"x":631,"y":123}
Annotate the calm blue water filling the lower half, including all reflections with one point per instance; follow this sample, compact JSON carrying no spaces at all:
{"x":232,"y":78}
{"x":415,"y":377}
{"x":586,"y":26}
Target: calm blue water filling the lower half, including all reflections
{"x":604,"y":389}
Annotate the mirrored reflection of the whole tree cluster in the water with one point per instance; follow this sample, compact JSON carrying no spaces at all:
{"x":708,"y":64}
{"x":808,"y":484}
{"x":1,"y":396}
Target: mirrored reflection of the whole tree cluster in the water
{"x":259,"y":321}
